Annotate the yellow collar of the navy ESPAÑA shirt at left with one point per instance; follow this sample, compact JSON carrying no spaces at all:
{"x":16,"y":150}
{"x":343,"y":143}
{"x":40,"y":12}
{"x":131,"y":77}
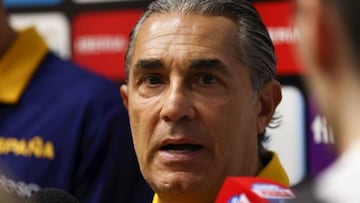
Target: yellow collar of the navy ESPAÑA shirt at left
{"x":19,"y":64}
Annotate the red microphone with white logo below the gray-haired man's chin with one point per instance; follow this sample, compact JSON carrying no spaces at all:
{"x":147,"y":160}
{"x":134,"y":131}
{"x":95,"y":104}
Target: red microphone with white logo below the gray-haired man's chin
{"x":253,"y":190}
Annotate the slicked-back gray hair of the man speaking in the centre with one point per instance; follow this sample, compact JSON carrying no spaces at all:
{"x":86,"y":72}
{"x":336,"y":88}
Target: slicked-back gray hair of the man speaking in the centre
{"x":254,"y":46}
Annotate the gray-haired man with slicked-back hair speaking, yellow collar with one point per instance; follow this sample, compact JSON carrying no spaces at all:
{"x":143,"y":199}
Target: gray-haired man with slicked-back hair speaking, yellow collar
{"x":201,"y":90}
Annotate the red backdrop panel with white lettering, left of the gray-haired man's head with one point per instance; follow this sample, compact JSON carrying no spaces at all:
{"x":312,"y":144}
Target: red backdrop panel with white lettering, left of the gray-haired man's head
{"x":100,"y":40}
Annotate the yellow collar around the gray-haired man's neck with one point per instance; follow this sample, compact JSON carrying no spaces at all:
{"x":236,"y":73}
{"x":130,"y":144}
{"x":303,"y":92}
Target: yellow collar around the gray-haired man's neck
{"x":273,"y":171}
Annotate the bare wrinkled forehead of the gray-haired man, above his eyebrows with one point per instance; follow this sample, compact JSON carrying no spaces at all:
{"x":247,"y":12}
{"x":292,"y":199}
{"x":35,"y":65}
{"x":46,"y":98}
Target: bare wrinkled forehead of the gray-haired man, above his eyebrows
{"x":176,"y":35}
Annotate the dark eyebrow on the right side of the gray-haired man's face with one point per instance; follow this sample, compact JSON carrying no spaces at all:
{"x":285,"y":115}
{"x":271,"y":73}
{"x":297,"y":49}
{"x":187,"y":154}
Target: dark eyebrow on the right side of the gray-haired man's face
{"x":209,"y":64}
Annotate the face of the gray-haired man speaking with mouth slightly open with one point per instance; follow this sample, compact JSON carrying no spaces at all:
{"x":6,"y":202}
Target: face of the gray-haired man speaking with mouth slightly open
{"x":192,"y":108}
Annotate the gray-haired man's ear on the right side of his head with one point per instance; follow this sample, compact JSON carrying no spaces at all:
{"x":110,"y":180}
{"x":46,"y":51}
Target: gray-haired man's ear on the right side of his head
{"x":268,"y":99}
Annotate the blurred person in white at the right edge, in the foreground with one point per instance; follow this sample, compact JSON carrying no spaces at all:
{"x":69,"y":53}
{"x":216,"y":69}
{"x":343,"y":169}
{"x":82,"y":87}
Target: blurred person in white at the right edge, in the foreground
{"x":330,"y":49}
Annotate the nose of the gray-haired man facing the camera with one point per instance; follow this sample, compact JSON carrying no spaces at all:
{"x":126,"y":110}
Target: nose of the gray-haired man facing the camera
{"x":177,"y":104}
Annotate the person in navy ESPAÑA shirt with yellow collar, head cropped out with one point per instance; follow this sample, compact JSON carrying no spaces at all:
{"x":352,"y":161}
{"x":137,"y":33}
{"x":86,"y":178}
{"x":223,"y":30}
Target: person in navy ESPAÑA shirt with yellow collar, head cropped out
{"x":61,"y":127}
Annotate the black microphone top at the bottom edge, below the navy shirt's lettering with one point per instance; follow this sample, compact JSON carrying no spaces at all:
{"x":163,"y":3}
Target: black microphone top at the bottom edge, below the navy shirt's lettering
{"x":51,"y":195}
